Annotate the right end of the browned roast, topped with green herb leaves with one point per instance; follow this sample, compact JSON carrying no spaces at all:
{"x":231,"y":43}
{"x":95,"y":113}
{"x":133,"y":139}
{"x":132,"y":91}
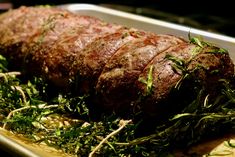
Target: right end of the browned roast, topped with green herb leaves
{"x":207,"y":66}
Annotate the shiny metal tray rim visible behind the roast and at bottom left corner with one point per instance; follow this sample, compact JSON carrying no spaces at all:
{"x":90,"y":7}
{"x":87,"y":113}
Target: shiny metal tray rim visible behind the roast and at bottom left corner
{"x":17,"y":147}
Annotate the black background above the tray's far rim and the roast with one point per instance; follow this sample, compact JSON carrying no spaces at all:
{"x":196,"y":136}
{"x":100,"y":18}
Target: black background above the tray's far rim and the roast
{"x":215,"y":16}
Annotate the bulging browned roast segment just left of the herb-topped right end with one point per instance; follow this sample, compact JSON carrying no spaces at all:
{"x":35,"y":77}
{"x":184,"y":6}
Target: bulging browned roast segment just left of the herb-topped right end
{"x":116,"y":83}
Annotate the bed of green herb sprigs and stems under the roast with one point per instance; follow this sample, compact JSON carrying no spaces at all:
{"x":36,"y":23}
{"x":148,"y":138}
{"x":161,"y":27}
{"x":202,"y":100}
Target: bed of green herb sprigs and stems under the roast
{"x":26,"y":109}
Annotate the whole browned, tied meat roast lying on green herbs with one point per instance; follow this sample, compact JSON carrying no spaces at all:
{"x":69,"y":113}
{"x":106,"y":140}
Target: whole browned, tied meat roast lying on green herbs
{"x":120,"y":67}
